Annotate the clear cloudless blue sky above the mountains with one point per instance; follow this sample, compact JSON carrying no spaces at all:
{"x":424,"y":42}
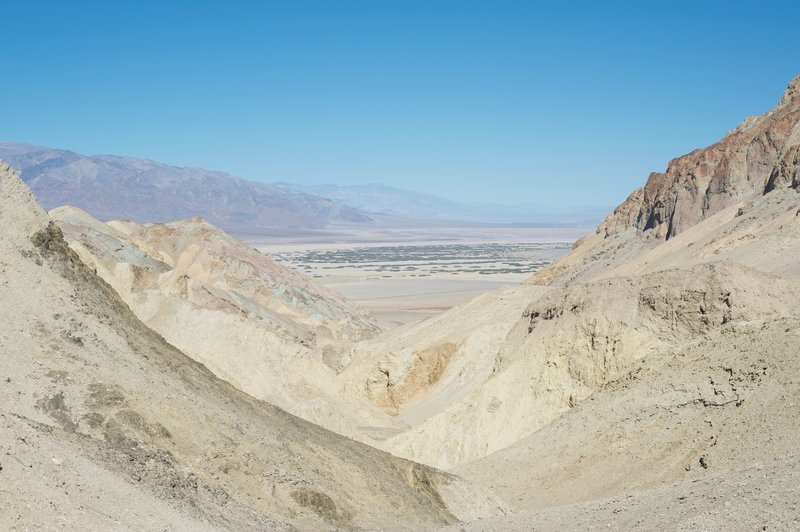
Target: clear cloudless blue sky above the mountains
{"x":560,"y":103}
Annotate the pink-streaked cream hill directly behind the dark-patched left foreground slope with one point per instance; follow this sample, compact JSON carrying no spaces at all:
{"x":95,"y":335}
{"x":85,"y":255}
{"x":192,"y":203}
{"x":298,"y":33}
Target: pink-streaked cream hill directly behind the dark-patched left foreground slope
{"x":256,"y":324}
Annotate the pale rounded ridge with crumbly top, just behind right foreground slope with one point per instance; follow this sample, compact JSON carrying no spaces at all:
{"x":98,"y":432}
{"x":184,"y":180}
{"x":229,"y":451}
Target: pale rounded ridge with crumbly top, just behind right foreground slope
{"x":573,"y":341}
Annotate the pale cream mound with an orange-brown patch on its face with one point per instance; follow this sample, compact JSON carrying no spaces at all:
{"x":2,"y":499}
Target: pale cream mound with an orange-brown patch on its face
{"x":419,"y":370}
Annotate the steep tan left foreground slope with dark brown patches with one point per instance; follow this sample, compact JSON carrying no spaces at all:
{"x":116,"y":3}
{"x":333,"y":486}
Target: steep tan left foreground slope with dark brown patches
{"x":104,"y":425}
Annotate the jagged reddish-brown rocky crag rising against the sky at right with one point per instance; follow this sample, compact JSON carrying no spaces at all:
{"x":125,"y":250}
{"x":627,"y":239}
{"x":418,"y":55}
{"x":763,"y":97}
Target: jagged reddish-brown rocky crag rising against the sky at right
{"x":699,"y":192}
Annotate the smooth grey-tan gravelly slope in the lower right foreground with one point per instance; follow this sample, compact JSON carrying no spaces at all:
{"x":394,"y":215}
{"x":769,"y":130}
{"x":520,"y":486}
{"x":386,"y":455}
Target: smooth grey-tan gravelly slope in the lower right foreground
{"x":701,"y":436}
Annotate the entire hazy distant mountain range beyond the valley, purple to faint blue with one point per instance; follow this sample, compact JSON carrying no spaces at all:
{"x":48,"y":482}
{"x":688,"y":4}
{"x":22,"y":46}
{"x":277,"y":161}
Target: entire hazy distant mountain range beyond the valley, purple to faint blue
{"x":115,"y":187}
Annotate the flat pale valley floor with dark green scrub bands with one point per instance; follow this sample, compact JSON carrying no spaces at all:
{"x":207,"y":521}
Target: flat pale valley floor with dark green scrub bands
{"x":404,"y":276}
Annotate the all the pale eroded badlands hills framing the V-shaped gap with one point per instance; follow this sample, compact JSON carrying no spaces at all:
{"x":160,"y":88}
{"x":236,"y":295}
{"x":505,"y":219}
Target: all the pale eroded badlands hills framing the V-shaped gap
{"x":649,"y":379}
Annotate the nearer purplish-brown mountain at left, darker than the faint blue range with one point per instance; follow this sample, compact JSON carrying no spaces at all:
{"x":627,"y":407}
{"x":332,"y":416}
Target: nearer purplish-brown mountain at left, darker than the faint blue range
{"x":111,"y":188}
